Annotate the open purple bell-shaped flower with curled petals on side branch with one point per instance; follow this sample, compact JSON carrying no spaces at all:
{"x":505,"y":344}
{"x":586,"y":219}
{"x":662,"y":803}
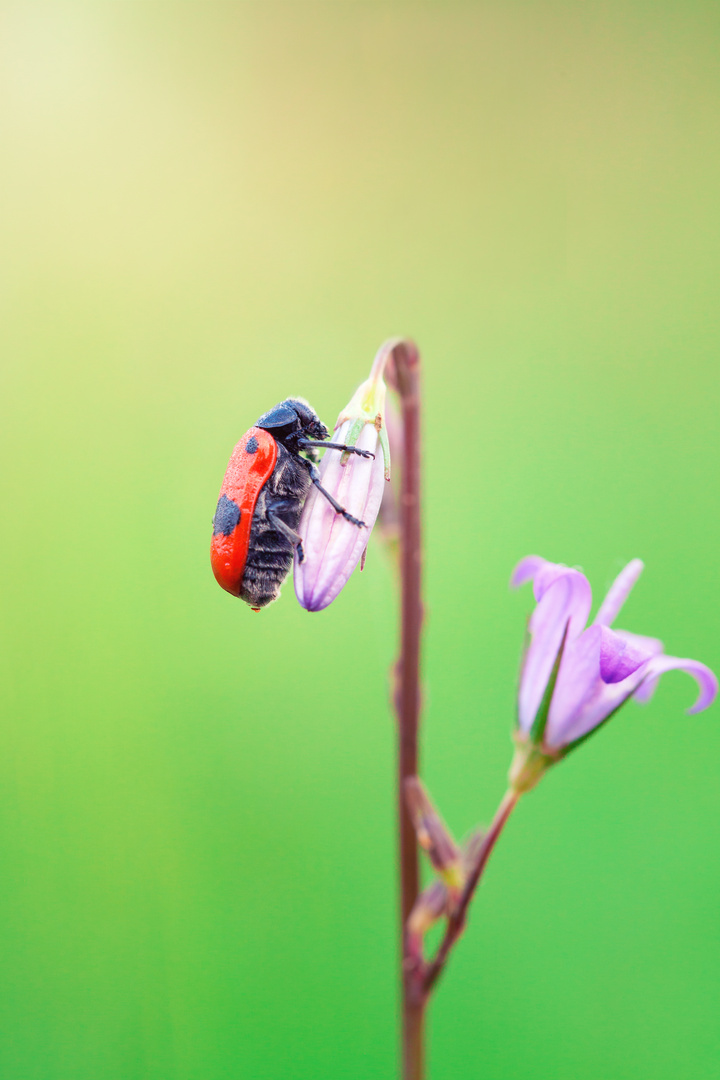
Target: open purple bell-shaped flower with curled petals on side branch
{"x":574,"y":678}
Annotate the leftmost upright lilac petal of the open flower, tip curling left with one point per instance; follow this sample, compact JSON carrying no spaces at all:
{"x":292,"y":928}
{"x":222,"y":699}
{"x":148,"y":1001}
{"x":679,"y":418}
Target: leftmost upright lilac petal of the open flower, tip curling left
{"x":564,"y":606}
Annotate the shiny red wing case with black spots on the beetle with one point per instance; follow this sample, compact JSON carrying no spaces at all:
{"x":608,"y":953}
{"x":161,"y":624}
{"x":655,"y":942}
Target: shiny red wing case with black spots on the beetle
{"x":247,"y":474}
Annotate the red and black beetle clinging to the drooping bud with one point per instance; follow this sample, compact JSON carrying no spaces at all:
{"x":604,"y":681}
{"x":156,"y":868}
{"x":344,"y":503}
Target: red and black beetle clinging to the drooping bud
{"x":265,"y":488}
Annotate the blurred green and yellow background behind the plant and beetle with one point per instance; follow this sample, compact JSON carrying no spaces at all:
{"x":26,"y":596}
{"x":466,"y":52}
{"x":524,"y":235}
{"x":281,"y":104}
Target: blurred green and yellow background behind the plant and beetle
{"x":208,"y":207}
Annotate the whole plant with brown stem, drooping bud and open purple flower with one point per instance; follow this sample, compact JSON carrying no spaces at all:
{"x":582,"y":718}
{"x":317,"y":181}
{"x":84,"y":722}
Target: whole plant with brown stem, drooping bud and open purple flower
{"x":574,"y":679}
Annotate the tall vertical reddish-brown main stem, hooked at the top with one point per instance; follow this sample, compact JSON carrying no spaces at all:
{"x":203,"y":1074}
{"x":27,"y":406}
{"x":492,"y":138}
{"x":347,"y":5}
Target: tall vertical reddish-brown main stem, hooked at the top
{"x":405,"y":377}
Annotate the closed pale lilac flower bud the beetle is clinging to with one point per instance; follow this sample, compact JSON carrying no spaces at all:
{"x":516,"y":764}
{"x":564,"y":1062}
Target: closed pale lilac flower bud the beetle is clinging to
{"x":332,"y":546}
